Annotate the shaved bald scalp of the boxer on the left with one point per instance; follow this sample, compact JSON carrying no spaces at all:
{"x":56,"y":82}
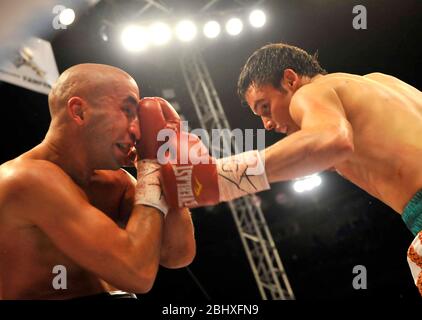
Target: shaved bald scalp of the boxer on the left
{"x":88,"y":81}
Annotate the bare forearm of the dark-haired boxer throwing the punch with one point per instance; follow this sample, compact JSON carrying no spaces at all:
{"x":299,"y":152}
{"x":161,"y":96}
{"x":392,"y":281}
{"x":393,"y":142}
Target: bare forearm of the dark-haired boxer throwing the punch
{"x":305,"y":152}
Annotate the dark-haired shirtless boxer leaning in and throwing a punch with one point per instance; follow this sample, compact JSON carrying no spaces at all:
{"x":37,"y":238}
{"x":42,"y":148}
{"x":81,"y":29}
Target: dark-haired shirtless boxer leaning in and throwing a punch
{"x":368,"y":128}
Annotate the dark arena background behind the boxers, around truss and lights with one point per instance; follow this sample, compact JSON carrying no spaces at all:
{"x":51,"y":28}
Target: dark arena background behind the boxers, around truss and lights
{"x":320,"y":235}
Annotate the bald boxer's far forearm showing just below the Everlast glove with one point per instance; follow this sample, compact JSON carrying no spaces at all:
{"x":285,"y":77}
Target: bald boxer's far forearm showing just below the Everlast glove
{"x":178,"y":247}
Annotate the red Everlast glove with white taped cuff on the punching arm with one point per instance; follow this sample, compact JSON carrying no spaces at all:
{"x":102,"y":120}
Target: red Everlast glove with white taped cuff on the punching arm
{"x":192,"y":178}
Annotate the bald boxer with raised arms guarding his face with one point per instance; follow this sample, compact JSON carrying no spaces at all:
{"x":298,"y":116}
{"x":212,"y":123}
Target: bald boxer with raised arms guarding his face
{"x":67,"y":203}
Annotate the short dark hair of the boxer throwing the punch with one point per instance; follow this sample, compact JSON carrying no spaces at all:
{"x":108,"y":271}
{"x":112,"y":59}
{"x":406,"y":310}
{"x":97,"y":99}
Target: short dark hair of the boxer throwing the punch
{"x":267,"y":64}
